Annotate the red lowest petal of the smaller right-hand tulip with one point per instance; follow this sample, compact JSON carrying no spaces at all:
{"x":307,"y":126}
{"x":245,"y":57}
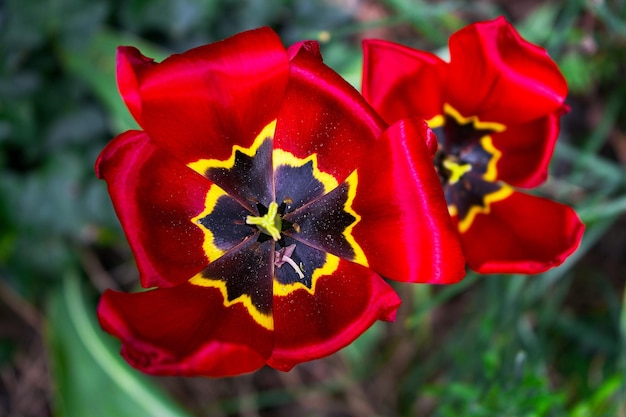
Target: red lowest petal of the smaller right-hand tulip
{"x":522,"y":234}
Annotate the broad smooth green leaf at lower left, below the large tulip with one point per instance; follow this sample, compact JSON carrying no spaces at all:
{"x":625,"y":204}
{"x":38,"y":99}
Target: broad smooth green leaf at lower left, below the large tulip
{"x":91,"y":378}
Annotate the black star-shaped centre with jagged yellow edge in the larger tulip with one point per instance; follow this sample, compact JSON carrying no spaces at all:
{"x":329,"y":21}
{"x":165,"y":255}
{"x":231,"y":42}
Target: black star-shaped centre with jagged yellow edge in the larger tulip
{"x":273,"y":223}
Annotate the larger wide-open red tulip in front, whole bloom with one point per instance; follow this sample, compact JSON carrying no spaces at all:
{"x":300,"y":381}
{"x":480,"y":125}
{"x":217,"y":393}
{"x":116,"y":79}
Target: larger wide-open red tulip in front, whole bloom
{"x":265,"y":200}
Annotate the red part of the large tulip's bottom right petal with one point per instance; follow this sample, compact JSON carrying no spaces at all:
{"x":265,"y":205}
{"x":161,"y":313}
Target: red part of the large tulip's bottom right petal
{"x":345,"y":304}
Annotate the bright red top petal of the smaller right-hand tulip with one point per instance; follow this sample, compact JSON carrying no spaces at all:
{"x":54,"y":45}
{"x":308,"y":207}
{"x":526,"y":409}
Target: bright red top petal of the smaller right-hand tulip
{"x":499,"y":77}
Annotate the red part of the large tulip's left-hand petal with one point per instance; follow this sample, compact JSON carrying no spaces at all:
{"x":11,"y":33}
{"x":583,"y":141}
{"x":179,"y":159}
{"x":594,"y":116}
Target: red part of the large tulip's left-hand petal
{"x":155,"y":198}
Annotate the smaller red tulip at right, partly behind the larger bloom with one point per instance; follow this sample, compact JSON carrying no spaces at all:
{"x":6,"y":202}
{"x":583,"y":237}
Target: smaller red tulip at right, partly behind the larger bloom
{"x":496,"y":105}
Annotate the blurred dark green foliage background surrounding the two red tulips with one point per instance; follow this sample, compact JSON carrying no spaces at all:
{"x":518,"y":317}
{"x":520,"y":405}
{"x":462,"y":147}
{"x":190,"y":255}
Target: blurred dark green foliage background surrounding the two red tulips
{"x":547,"y":345}
